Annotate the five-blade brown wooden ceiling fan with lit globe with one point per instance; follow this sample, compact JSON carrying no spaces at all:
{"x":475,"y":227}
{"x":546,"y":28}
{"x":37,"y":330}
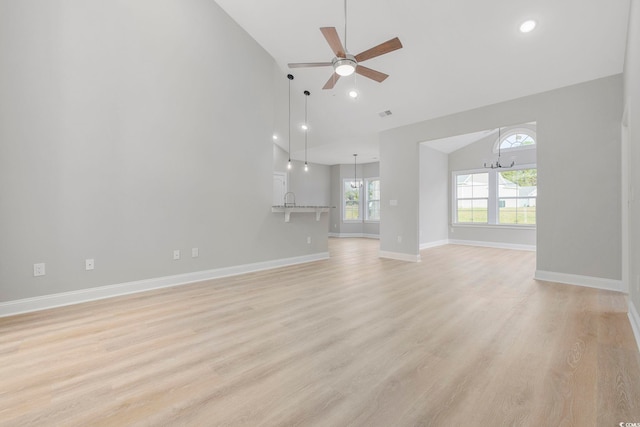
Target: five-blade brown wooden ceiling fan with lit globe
{"x":344,"y":63}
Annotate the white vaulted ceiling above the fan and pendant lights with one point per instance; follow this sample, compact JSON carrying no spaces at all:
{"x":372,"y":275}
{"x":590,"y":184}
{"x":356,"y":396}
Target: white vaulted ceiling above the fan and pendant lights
{"x":457,"y":55}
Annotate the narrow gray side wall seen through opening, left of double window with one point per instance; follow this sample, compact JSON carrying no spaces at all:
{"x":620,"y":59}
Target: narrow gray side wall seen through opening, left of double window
{"x":434,"y":196}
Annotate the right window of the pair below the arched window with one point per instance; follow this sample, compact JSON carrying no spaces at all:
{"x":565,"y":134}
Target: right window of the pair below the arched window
{"x":517,"y":191}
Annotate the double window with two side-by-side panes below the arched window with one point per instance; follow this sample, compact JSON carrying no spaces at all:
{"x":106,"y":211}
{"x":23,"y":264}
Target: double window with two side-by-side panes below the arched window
{"x":496,"y":197}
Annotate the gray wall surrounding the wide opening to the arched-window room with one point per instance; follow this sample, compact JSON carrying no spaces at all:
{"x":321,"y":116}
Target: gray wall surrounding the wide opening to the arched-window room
{"x":579,"y":226}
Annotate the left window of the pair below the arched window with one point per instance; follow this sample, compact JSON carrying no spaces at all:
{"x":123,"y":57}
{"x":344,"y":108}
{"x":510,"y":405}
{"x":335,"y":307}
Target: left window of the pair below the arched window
{"x":472,"y":197}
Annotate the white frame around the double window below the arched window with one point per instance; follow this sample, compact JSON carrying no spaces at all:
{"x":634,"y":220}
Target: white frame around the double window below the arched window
{"x":493,"y":199}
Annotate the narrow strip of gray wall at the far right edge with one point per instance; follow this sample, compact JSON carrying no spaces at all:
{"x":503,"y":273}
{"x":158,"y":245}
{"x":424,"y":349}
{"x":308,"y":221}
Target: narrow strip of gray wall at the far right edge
{"x":632,"y":103}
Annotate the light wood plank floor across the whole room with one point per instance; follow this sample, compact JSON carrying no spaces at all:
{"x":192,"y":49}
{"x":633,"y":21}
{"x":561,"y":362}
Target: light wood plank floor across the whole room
{"x":464,"y":338}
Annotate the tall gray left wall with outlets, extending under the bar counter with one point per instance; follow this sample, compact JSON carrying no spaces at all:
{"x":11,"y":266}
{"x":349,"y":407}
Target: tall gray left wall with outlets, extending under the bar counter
{"x":122,"y":139}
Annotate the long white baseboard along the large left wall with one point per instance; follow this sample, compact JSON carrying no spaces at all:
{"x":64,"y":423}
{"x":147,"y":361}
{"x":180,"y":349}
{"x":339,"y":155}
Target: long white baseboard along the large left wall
{"x":44,"y":302}
